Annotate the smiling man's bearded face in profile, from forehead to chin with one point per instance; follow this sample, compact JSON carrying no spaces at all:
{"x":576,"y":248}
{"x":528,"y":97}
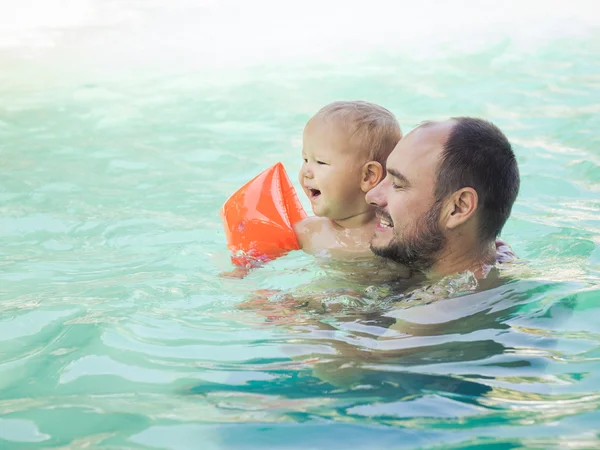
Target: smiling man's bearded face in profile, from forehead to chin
{"x":409,"y":229}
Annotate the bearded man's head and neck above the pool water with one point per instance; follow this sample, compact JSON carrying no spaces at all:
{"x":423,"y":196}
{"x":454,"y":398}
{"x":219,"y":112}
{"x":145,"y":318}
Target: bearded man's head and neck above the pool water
{"x":449,"y":190}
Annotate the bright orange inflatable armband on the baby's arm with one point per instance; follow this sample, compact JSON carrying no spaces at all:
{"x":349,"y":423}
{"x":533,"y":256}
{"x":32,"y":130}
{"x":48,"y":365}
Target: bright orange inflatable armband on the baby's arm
{"x":259,"y":218}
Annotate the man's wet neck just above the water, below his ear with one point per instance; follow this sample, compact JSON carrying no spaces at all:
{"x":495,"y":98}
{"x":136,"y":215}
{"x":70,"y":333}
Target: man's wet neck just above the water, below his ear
{"x":455,"y":260}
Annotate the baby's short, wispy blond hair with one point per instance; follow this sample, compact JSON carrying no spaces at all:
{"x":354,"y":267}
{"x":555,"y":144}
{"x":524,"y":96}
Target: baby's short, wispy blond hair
{"x":373,"y":129}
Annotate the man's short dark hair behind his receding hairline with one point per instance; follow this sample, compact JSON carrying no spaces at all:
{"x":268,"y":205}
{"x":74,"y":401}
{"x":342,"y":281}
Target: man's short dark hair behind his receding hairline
{"x":478,"y":155}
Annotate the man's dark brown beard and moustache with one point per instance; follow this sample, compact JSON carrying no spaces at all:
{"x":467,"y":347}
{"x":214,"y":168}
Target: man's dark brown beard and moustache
{"x":419,"y":249}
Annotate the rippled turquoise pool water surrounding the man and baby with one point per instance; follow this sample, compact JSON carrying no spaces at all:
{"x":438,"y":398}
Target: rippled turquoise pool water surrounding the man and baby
{"x":125,"y":126}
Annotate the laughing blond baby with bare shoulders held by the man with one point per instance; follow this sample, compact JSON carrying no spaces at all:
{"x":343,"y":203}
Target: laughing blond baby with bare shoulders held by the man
{"x":345,"y":147}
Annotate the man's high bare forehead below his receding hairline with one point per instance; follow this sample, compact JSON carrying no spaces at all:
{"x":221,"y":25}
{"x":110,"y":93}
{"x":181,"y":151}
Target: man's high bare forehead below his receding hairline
{"x":420,"y":149}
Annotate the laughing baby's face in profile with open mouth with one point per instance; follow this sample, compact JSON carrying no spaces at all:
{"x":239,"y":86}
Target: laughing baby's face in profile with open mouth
{"x":331,"y":173}
